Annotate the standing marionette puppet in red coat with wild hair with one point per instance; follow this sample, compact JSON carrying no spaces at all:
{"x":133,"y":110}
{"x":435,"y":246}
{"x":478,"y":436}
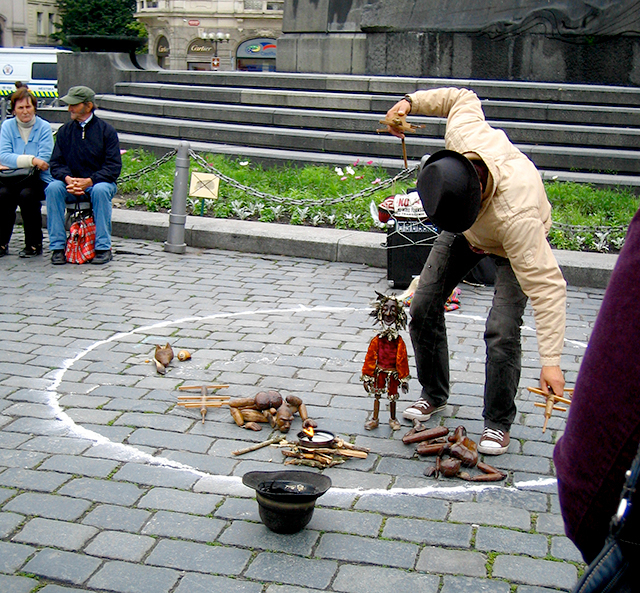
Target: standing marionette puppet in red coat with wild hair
{"x":386,"y":365}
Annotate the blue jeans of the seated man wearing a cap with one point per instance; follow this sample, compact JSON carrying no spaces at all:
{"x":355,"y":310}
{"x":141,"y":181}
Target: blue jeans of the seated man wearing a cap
{"x":100,"y":194}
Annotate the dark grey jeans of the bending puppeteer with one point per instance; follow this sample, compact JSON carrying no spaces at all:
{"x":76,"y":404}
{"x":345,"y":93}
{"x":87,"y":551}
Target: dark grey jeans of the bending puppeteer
{"x":449,"y":261}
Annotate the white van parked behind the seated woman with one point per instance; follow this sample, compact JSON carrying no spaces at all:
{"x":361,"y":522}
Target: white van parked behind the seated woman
{"x":35,"y":66}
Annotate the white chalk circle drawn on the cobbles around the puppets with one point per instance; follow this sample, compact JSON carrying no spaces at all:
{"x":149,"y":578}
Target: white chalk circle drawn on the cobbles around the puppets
{"x":129,"y":453}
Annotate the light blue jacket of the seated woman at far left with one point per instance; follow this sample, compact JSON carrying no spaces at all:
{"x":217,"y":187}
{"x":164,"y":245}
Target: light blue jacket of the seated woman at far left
{"x":40,"y":144}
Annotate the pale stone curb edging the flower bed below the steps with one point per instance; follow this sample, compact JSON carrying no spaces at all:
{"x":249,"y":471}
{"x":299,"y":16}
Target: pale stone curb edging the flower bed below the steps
{"x":591,"y":270}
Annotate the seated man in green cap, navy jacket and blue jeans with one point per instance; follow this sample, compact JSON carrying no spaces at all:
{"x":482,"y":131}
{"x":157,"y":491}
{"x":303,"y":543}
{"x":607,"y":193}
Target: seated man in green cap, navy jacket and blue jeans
{"x":85,"y":164}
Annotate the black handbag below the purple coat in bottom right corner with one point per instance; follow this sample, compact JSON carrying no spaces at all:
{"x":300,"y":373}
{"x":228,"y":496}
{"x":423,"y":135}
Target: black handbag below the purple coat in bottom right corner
{"x":616,"y":569}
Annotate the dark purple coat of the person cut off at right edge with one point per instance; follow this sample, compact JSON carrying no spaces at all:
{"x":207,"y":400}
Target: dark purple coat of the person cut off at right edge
{"x":603,"y":428}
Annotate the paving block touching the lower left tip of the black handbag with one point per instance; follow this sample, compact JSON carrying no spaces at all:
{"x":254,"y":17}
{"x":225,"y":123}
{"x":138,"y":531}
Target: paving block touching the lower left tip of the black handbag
{"x":529,"y":571}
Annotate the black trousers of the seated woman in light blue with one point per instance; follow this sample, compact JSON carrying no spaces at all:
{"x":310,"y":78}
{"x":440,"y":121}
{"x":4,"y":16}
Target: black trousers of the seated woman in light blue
{"x":28,"y":198}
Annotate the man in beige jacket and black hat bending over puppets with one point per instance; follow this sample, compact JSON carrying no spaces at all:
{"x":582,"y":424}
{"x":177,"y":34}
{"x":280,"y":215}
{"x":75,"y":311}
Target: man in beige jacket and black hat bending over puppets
{"x":487,"y":199}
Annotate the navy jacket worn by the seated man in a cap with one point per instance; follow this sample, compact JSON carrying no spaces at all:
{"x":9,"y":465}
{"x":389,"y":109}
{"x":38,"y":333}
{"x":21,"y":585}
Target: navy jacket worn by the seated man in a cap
{"x":93,"y":152}
